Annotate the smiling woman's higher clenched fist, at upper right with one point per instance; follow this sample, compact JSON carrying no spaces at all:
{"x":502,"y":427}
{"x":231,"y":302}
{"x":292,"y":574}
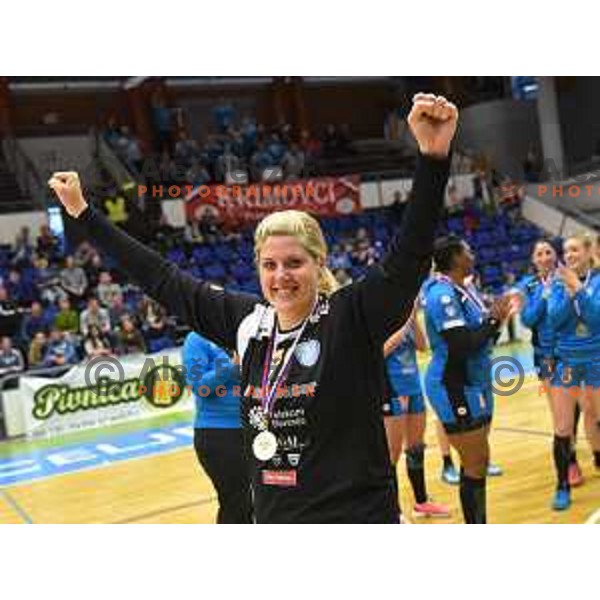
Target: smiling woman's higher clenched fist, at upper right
{"x":433,"y":122}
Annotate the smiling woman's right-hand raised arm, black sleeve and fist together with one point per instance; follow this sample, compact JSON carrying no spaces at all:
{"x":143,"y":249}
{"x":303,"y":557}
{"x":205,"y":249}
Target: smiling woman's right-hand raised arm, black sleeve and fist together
{"x":388,"y":292}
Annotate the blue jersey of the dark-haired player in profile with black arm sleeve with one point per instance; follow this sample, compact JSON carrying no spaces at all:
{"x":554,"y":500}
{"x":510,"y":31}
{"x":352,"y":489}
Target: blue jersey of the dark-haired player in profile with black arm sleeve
{"x":446,"y":307}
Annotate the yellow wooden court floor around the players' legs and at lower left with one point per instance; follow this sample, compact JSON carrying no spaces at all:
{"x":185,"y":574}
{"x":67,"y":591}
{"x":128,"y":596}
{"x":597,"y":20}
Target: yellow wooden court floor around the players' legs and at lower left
{"x":170,"y":488}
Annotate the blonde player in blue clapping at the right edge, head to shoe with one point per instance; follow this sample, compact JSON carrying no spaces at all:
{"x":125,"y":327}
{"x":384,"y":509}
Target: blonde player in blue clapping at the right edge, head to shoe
{"x":574,"y":314}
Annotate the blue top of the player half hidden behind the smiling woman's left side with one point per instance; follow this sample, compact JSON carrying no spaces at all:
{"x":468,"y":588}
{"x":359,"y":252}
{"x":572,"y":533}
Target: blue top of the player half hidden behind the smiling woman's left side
{"x":215,"y":382}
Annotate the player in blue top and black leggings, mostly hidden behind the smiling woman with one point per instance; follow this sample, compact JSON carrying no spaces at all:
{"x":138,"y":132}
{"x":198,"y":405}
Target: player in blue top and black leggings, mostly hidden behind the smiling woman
{"x":218,"y":438}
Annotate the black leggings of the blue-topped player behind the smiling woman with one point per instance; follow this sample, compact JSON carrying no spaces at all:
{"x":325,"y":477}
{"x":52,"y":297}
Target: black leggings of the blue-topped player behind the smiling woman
{"x":221,"y":454}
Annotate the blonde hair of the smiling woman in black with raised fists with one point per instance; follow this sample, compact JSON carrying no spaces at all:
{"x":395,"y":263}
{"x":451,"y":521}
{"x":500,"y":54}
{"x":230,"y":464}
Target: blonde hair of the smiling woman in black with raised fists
{"x":307,"y":231}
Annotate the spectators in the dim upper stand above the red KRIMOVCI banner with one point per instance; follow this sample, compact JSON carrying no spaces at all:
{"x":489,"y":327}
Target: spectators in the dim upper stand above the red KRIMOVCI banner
{"x":238,"y":150}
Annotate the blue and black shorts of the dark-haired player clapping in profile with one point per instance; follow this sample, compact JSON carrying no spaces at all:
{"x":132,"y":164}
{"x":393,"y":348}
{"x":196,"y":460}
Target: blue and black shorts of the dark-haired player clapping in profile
{"x":461,"y":410}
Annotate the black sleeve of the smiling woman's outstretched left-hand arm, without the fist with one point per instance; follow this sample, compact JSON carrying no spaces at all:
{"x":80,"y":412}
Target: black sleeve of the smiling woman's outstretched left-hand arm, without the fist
{"x":206,"y":308}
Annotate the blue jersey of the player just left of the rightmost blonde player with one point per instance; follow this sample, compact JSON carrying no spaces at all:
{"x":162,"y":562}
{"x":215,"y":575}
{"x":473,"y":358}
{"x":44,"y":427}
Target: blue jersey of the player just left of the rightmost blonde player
{"x":534,"y":315}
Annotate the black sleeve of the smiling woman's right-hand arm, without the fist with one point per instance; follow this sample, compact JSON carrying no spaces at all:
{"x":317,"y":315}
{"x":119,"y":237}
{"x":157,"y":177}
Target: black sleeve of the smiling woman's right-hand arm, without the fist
{"x":388,"y":292}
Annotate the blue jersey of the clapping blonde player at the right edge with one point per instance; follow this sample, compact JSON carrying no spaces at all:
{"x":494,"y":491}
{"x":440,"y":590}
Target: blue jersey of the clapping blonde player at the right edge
{"x":576,"y":320}
